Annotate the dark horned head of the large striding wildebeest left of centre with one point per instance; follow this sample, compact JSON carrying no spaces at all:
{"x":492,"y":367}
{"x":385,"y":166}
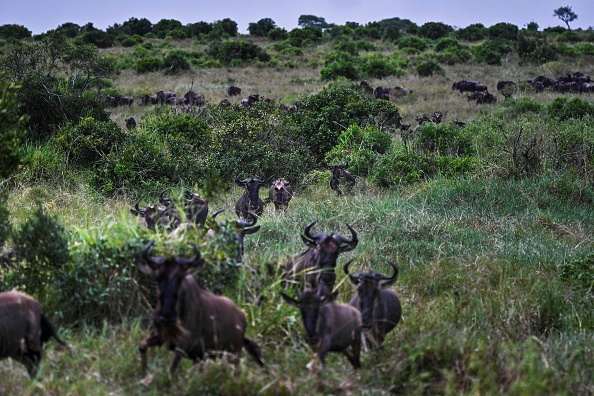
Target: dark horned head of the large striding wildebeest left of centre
{"x":169,"y":272}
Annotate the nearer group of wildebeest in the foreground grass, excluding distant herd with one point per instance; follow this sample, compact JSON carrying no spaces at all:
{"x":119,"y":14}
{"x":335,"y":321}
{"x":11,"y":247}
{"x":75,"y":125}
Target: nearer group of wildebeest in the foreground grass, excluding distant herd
{"x":196,"y":323}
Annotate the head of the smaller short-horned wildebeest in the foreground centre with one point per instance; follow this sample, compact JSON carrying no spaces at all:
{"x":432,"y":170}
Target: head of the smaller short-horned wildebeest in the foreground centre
{"x":309,"y":303}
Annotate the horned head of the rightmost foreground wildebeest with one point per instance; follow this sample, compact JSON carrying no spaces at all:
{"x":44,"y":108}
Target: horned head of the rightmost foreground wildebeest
{"x":369,"y":285}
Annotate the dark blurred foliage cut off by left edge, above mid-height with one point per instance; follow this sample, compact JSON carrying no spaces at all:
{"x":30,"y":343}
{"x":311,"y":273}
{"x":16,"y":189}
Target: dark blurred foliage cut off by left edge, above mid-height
{"x":12,"y":132}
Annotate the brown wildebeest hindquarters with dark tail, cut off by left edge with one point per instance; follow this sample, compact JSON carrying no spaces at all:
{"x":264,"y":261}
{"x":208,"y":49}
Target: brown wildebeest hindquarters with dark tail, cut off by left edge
{"x":24,"y":329}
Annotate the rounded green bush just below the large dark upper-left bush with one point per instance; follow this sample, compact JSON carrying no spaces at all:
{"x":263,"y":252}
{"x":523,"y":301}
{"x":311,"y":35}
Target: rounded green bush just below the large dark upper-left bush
{"x":87,"y":141}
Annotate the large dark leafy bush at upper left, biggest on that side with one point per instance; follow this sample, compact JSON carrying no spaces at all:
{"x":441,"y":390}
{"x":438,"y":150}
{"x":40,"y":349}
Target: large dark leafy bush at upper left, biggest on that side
{"x":46,"y":96}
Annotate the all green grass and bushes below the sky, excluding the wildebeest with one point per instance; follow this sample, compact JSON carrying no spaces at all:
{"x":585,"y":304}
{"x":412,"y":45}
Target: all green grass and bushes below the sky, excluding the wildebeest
{"x":490,"y":224}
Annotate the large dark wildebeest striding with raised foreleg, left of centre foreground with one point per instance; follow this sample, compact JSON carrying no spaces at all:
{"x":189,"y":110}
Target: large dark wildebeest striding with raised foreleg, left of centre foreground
{"x":189,"y":320}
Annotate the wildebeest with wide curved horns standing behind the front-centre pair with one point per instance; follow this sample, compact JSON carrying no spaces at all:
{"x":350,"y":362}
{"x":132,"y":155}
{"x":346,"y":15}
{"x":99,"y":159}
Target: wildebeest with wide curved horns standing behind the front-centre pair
{"x":317,"y":264}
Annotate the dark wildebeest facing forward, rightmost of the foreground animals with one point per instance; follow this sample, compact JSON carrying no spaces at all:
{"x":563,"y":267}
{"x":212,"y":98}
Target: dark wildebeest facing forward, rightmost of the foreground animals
{"x":380,"y":307}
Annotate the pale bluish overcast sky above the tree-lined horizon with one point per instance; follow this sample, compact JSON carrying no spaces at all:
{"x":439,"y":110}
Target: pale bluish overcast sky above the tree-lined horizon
{"x":40,"y":16}
